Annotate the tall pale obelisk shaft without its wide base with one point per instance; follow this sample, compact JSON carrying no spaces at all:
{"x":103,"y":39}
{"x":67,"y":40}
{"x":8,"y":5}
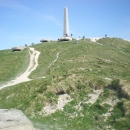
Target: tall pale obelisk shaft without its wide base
{"x":66,"y":23}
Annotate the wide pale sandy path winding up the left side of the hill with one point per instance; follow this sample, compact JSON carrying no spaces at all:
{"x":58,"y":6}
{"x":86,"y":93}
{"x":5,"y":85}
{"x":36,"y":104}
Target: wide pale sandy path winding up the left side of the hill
{"x":34,"y":55}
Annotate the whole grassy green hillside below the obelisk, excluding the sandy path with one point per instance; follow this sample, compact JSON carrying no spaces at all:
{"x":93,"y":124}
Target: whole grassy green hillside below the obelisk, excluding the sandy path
{"x":79,"y":70}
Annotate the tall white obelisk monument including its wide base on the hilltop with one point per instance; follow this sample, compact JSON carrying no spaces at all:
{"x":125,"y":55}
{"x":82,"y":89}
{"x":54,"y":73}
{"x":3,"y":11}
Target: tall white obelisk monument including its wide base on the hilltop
{"x":66,"y":36}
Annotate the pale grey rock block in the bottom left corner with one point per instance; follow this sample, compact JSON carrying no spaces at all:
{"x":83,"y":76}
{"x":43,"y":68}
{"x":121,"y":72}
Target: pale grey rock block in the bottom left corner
{"x":14,"y":120}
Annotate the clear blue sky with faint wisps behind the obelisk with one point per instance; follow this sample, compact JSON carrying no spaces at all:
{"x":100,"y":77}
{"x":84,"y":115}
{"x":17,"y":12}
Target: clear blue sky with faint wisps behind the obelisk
{"x":28,"y":21}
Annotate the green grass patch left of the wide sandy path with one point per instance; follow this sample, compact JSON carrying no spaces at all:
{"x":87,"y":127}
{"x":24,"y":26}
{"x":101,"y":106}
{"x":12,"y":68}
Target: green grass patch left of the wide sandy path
{"x":12,"y":64}
